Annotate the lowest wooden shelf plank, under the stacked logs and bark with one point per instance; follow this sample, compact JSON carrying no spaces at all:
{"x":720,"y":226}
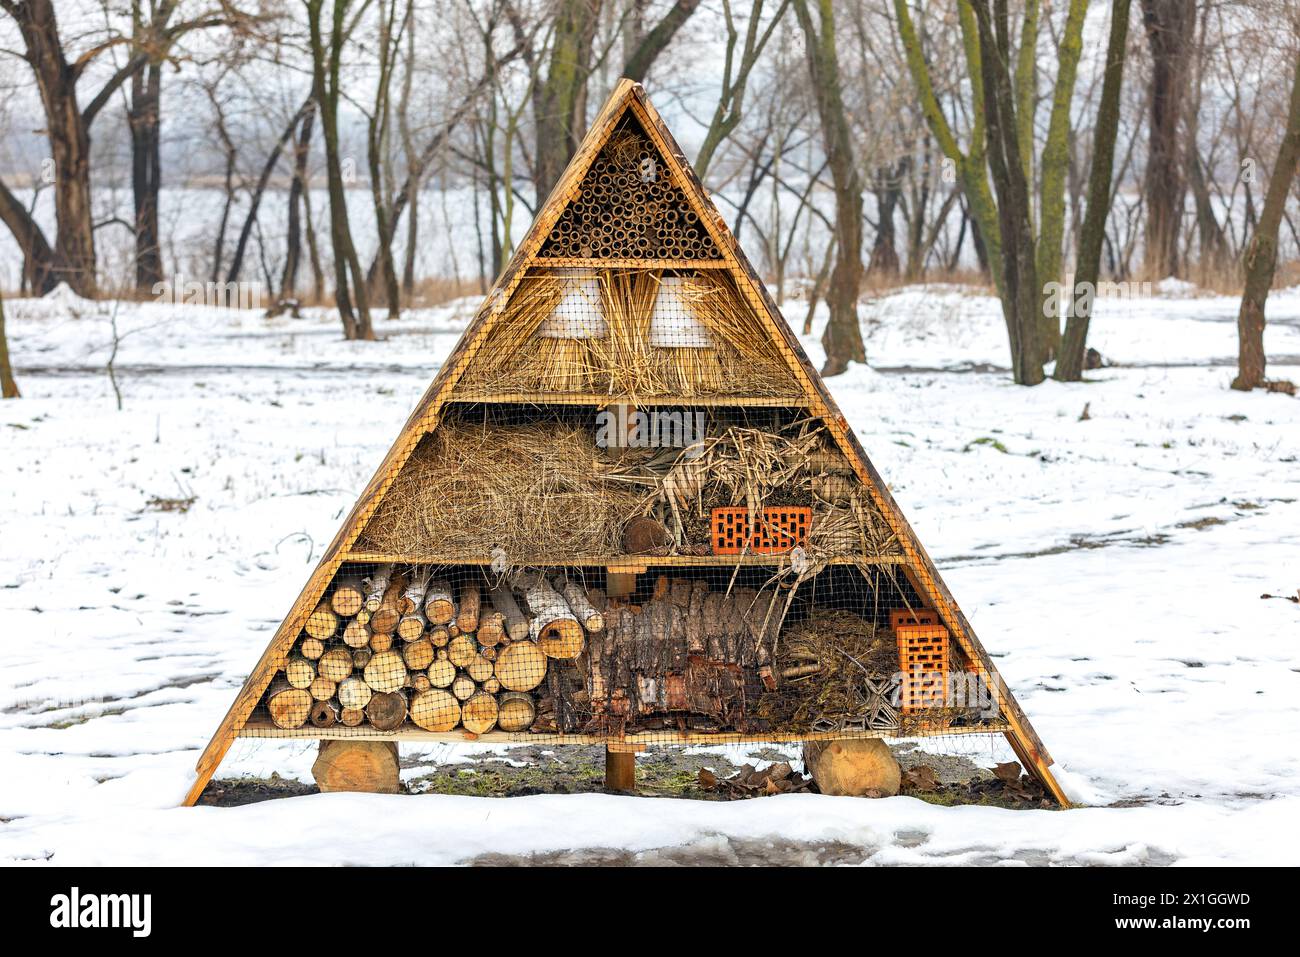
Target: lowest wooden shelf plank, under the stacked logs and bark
{"x":409,"y":733}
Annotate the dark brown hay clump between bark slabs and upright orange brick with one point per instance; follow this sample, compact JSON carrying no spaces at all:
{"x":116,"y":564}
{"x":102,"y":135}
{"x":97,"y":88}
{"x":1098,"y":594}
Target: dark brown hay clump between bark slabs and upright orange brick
{"x":821,"y":665}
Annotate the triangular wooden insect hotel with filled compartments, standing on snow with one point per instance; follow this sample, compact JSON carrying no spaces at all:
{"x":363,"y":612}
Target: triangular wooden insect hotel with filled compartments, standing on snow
{"x":627,"y":512}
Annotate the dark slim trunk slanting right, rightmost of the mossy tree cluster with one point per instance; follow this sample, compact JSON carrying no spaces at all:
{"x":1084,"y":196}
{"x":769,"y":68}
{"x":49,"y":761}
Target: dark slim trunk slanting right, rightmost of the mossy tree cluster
{"x":1069,"y":367}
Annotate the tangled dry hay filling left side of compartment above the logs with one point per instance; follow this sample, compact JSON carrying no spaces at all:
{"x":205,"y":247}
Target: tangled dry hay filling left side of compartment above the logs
{"x":531,"y":490}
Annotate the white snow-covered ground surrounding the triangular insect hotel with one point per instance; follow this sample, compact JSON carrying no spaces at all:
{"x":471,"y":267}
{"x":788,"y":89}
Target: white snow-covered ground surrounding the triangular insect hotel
{"x":1112,"y":564}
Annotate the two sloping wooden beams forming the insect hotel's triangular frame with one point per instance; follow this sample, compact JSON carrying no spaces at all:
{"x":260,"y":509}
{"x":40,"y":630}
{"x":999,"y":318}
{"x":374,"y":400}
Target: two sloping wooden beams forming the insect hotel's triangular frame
{"x":918,"y":566}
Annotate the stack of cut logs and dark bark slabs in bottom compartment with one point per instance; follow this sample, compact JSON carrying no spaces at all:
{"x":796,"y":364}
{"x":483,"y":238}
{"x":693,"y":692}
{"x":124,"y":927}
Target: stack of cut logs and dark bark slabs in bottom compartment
{"x":531,"y":653}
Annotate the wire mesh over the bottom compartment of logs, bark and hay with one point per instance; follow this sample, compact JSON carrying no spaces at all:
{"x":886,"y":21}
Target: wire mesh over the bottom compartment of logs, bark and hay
{"x":670,"y":655}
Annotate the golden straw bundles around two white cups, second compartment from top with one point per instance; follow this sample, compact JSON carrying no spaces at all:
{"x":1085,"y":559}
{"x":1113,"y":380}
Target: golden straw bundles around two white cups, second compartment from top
{"x":743,"y":360}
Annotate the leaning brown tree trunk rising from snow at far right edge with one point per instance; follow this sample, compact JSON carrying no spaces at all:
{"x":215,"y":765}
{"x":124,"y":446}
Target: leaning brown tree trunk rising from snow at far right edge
{"x":1262,"y":256}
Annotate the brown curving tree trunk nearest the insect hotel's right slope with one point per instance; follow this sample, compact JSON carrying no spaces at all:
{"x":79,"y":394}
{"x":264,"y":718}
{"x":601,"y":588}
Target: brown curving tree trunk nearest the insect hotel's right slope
{"x":843,"y":337}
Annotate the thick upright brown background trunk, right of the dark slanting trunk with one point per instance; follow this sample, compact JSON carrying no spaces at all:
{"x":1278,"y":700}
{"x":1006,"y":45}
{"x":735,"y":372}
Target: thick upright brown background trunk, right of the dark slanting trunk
{"x":1169,"y":25}
